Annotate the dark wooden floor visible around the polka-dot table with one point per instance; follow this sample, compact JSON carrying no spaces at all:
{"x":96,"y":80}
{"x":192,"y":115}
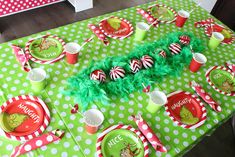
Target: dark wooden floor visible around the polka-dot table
{"x":220,"y":144}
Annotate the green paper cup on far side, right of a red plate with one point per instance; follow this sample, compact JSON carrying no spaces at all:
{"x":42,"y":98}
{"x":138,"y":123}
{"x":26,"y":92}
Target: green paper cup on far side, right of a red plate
{"x":141,"y":31}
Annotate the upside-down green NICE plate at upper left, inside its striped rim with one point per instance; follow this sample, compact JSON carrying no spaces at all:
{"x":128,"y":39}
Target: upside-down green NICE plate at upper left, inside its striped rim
{"x":45,"y":48}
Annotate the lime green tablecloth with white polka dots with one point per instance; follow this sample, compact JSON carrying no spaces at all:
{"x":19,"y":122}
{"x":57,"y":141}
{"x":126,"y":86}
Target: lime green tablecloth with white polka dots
{"x":76,"y":142}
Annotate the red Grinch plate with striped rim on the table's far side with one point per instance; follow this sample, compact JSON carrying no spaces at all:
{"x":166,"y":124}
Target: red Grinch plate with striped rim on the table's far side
{"x":115,"y":27}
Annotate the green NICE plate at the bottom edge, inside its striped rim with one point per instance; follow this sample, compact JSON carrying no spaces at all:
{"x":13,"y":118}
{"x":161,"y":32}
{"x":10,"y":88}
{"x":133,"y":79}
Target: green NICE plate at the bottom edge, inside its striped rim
{"x":122,"y":143}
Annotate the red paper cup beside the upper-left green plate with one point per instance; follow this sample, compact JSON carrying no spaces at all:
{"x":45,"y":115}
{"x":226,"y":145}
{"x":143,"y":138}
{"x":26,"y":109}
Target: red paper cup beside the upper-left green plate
{"x":72,"y":51}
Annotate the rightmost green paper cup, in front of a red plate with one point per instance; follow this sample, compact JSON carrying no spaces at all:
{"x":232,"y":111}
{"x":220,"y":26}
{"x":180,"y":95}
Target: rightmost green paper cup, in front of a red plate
{"x":215,"y":40}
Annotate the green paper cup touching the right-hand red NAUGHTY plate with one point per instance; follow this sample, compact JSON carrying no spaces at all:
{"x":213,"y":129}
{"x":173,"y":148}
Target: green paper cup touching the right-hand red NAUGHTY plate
{"x":156,"y":100}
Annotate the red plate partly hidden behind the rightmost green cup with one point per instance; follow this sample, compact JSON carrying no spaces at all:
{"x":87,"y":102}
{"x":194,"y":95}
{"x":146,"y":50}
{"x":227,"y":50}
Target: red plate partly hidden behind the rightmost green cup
{"x":228,"y":39}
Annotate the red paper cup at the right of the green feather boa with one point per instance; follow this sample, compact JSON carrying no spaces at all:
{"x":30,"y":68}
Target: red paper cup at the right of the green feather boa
{"x":197,"y":61}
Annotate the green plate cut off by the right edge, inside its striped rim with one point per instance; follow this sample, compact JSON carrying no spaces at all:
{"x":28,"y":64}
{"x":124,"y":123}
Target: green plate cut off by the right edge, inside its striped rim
{"x":223,"y":80}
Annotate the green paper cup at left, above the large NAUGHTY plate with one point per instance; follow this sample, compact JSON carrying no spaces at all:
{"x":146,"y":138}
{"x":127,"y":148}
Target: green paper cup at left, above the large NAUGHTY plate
{"x":37,"y":79}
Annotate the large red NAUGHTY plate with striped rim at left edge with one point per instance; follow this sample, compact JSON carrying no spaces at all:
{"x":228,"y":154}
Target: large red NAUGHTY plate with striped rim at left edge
{"x":24,"y":117}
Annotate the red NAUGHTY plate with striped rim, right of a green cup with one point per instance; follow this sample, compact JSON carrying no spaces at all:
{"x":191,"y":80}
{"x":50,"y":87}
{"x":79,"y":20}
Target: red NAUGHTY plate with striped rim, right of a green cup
{"x":185,"y":109}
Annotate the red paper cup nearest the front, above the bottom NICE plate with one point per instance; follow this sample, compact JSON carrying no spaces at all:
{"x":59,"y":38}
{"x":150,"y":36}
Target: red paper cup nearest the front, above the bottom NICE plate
{"x":93,"y":120}
